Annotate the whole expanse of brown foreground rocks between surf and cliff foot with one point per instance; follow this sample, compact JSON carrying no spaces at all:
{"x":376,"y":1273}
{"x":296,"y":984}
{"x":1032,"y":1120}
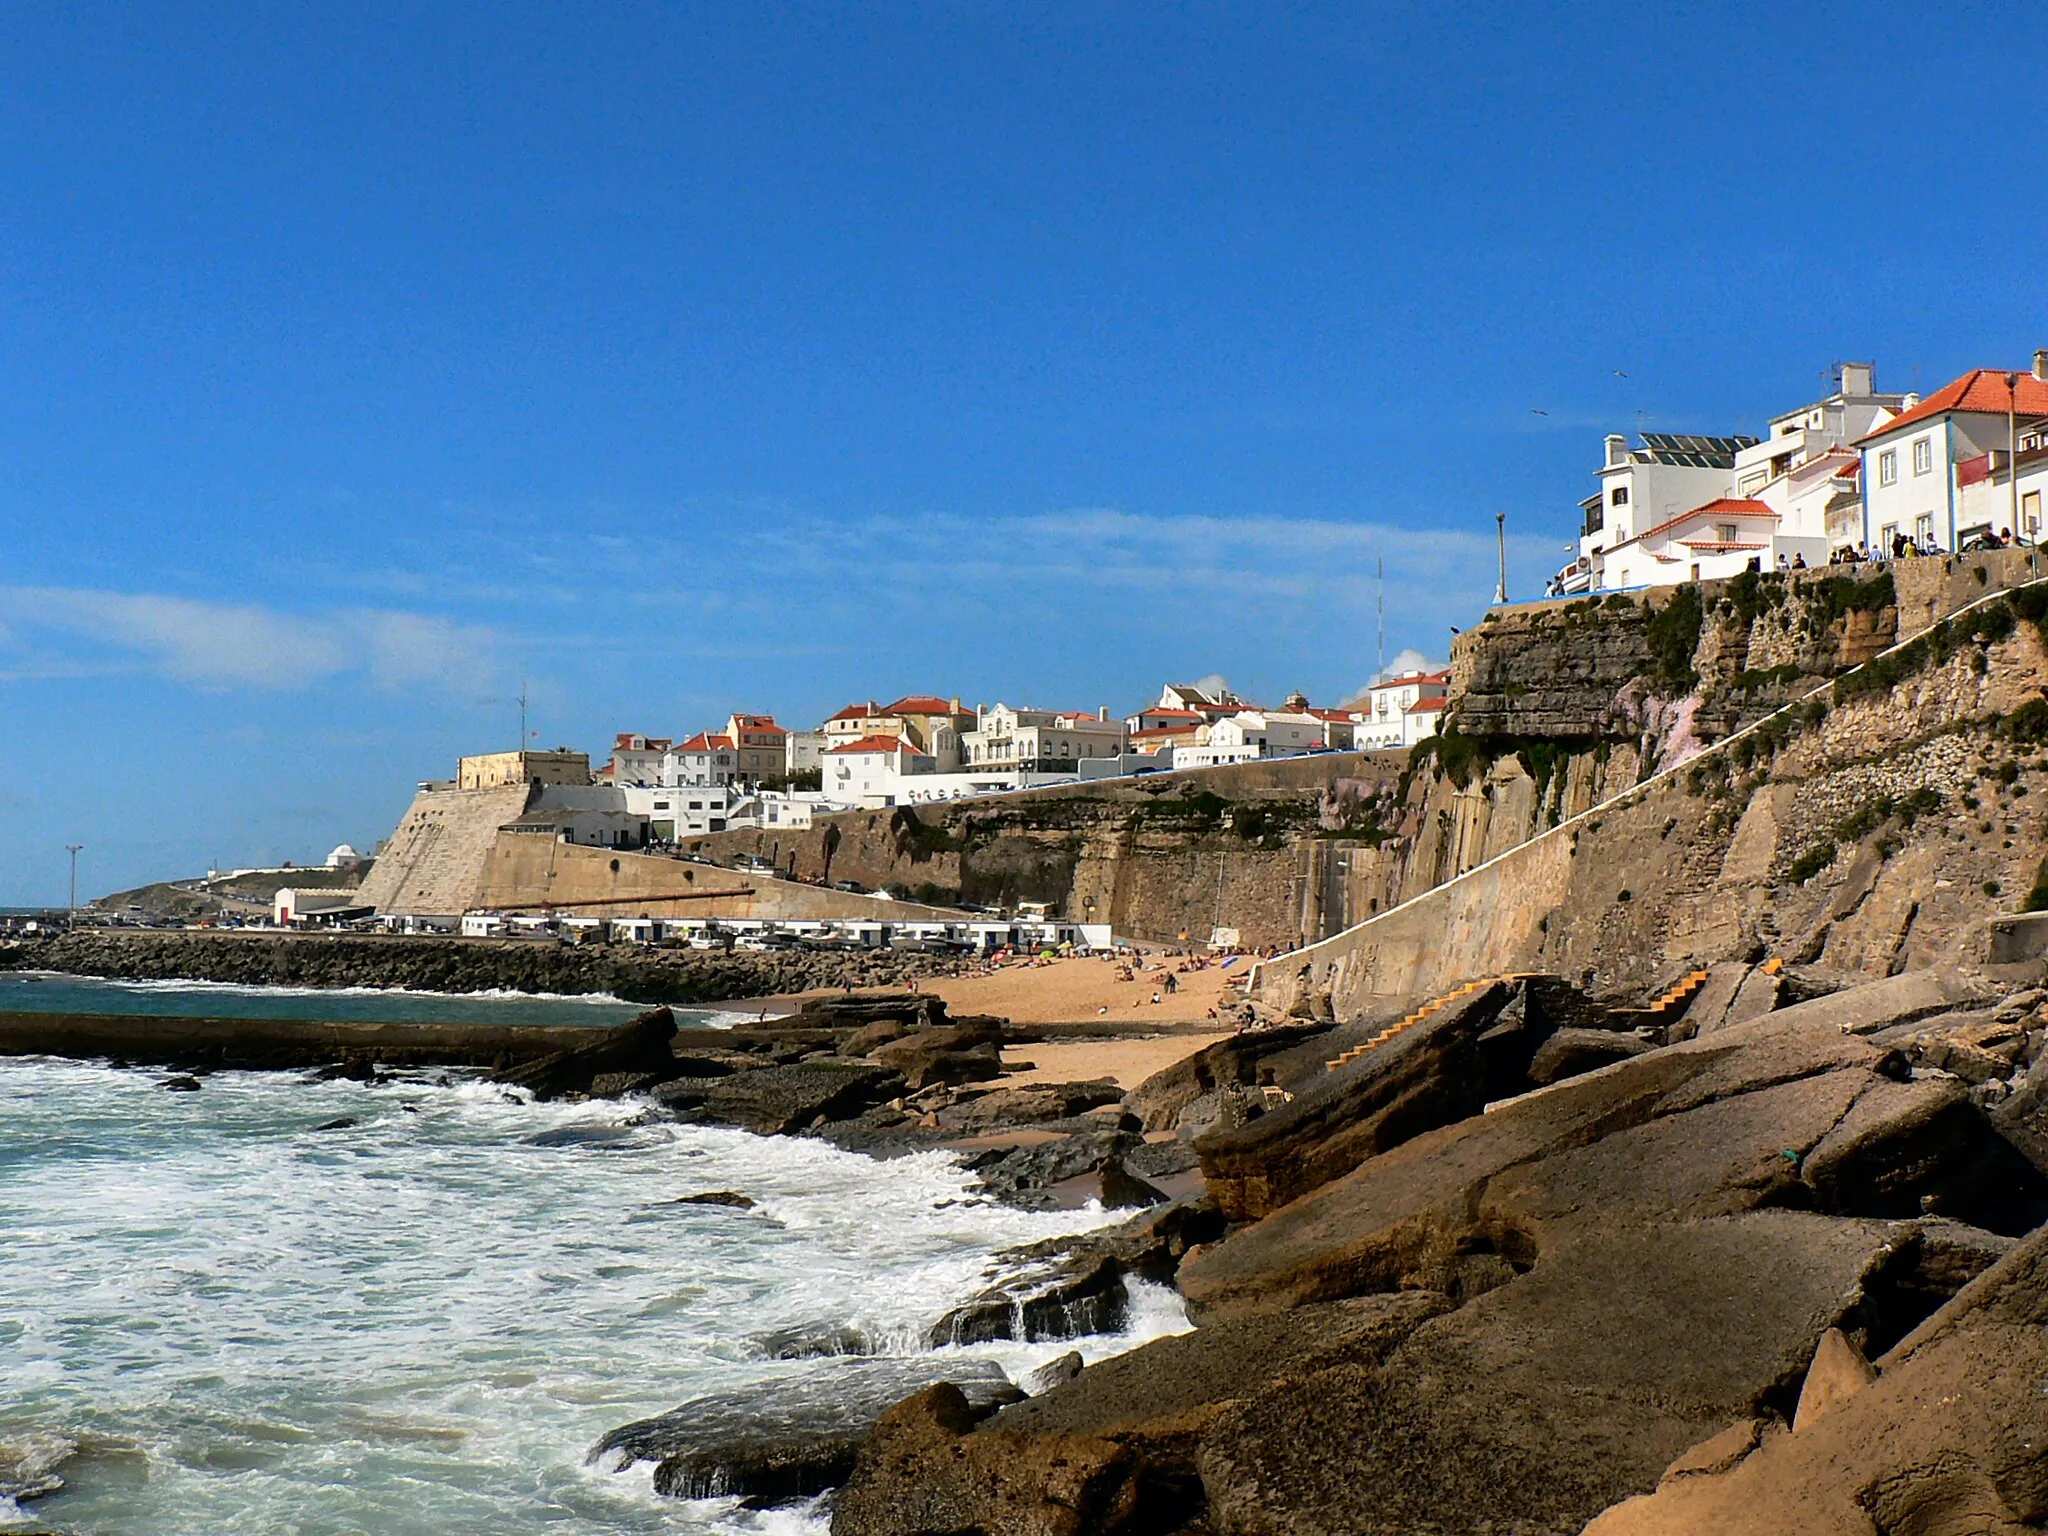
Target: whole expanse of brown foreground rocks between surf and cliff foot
{"x":1764,"y":1258}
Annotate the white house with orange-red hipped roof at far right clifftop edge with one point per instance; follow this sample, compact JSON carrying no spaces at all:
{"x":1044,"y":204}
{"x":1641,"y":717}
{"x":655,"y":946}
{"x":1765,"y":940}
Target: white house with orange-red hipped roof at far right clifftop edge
{"x":1912,"y":464}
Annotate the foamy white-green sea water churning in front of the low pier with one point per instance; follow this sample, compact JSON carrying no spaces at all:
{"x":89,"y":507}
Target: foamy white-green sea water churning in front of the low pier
{"x":425,"y":1322}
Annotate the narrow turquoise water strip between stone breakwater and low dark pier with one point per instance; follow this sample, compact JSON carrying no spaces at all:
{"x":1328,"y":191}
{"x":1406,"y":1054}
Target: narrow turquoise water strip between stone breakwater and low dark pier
{"x":42,"y":992}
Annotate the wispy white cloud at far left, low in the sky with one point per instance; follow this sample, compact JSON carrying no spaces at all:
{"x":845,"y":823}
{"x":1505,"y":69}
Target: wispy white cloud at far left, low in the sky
{"x":239,"y":644}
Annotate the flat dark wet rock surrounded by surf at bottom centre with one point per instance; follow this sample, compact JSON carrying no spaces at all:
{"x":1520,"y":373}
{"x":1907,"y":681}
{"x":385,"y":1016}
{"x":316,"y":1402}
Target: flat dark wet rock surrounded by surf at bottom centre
{"x":792,"y":1437}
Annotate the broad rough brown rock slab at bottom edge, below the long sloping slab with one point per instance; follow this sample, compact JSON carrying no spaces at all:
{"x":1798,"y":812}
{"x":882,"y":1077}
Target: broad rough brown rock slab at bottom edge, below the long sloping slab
{"x":1551,"y":1398}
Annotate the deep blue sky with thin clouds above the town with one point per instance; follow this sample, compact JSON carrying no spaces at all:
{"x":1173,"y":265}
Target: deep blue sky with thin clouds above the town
{"x":361,"y":364}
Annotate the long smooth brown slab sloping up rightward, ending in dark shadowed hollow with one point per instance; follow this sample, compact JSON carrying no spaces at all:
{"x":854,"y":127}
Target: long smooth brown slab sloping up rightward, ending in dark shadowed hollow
{"x":1756,"y":1115}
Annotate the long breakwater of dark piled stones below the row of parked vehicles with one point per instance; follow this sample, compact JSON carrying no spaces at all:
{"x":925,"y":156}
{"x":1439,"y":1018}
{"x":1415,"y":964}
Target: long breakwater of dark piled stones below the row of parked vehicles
{"x":638,"y":974}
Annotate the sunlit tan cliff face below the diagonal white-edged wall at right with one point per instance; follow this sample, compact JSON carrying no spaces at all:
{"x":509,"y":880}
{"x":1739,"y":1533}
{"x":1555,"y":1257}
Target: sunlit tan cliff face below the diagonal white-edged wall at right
{"x":1873,"y":828}
